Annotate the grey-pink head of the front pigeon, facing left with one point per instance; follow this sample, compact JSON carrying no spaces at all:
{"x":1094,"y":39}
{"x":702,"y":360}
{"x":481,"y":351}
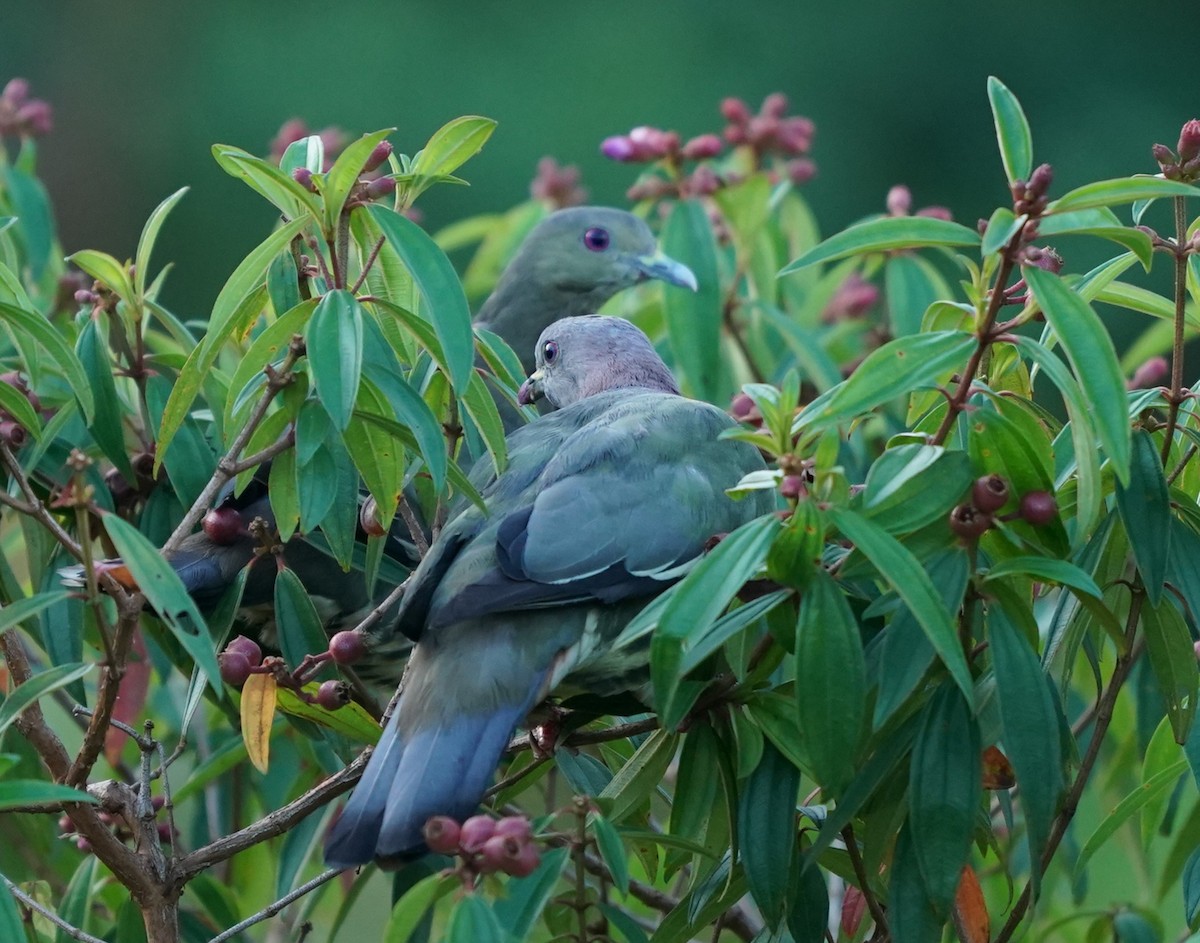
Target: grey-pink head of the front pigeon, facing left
{"x":577,"y":358}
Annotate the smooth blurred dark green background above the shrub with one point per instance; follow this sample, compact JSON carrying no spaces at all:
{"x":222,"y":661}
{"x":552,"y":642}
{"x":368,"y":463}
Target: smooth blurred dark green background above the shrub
{"x":143,"y":89}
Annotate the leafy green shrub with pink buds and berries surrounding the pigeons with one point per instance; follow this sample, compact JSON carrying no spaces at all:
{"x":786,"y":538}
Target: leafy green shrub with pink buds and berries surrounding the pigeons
{"x":973,"y":620}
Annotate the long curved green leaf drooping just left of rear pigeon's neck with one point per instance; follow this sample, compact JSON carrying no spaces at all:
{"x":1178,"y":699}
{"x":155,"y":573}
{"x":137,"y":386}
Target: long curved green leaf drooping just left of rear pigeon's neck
{"x":442,"y":296}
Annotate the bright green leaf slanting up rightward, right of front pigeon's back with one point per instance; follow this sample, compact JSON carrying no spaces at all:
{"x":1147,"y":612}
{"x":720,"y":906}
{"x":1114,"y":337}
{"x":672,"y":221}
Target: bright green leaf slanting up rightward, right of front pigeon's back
{"x":898,"y":368}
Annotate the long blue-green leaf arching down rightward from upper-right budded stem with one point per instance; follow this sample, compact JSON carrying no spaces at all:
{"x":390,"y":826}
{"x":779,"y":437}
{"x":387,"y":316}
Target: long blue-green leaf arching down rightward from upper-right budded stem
{"x":1093,"y":359}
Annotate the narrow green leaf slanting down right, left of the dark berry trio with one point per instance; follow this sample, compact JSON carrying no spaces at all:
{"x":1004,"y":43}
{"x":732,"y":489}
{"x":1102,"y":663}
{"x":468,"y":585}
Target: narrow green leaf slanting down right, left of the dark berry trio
{"x":904,"y":573}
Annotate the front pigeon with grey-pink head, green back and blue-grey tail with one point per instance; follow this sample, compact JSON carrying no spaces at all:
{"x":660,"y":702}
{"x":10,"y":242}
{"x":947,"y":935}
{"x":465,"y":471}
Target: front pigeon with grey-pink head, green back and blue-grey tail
{"x":604,"y":504}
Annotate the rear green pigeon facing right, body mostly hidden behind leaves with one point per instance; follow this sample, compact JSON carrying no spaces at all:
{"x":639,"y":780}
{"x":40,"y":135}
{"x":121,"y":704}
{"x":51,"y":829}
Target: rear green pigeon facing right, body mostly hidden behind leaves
{"x":571,"y":263}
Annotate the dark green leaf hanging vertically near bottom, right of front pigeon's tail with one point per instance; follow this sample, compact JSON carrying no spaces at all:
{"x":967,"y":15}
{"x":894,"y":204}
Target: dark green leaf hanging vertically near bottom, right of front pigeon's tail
{"x":767,"y":832}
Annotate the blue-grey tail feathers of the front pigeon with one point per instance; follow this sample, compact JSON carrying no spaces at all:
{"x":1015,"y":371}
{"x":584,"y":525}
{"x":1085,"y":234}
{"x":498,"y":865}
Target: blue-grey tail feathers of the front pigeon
{"x":441,"y":770}
